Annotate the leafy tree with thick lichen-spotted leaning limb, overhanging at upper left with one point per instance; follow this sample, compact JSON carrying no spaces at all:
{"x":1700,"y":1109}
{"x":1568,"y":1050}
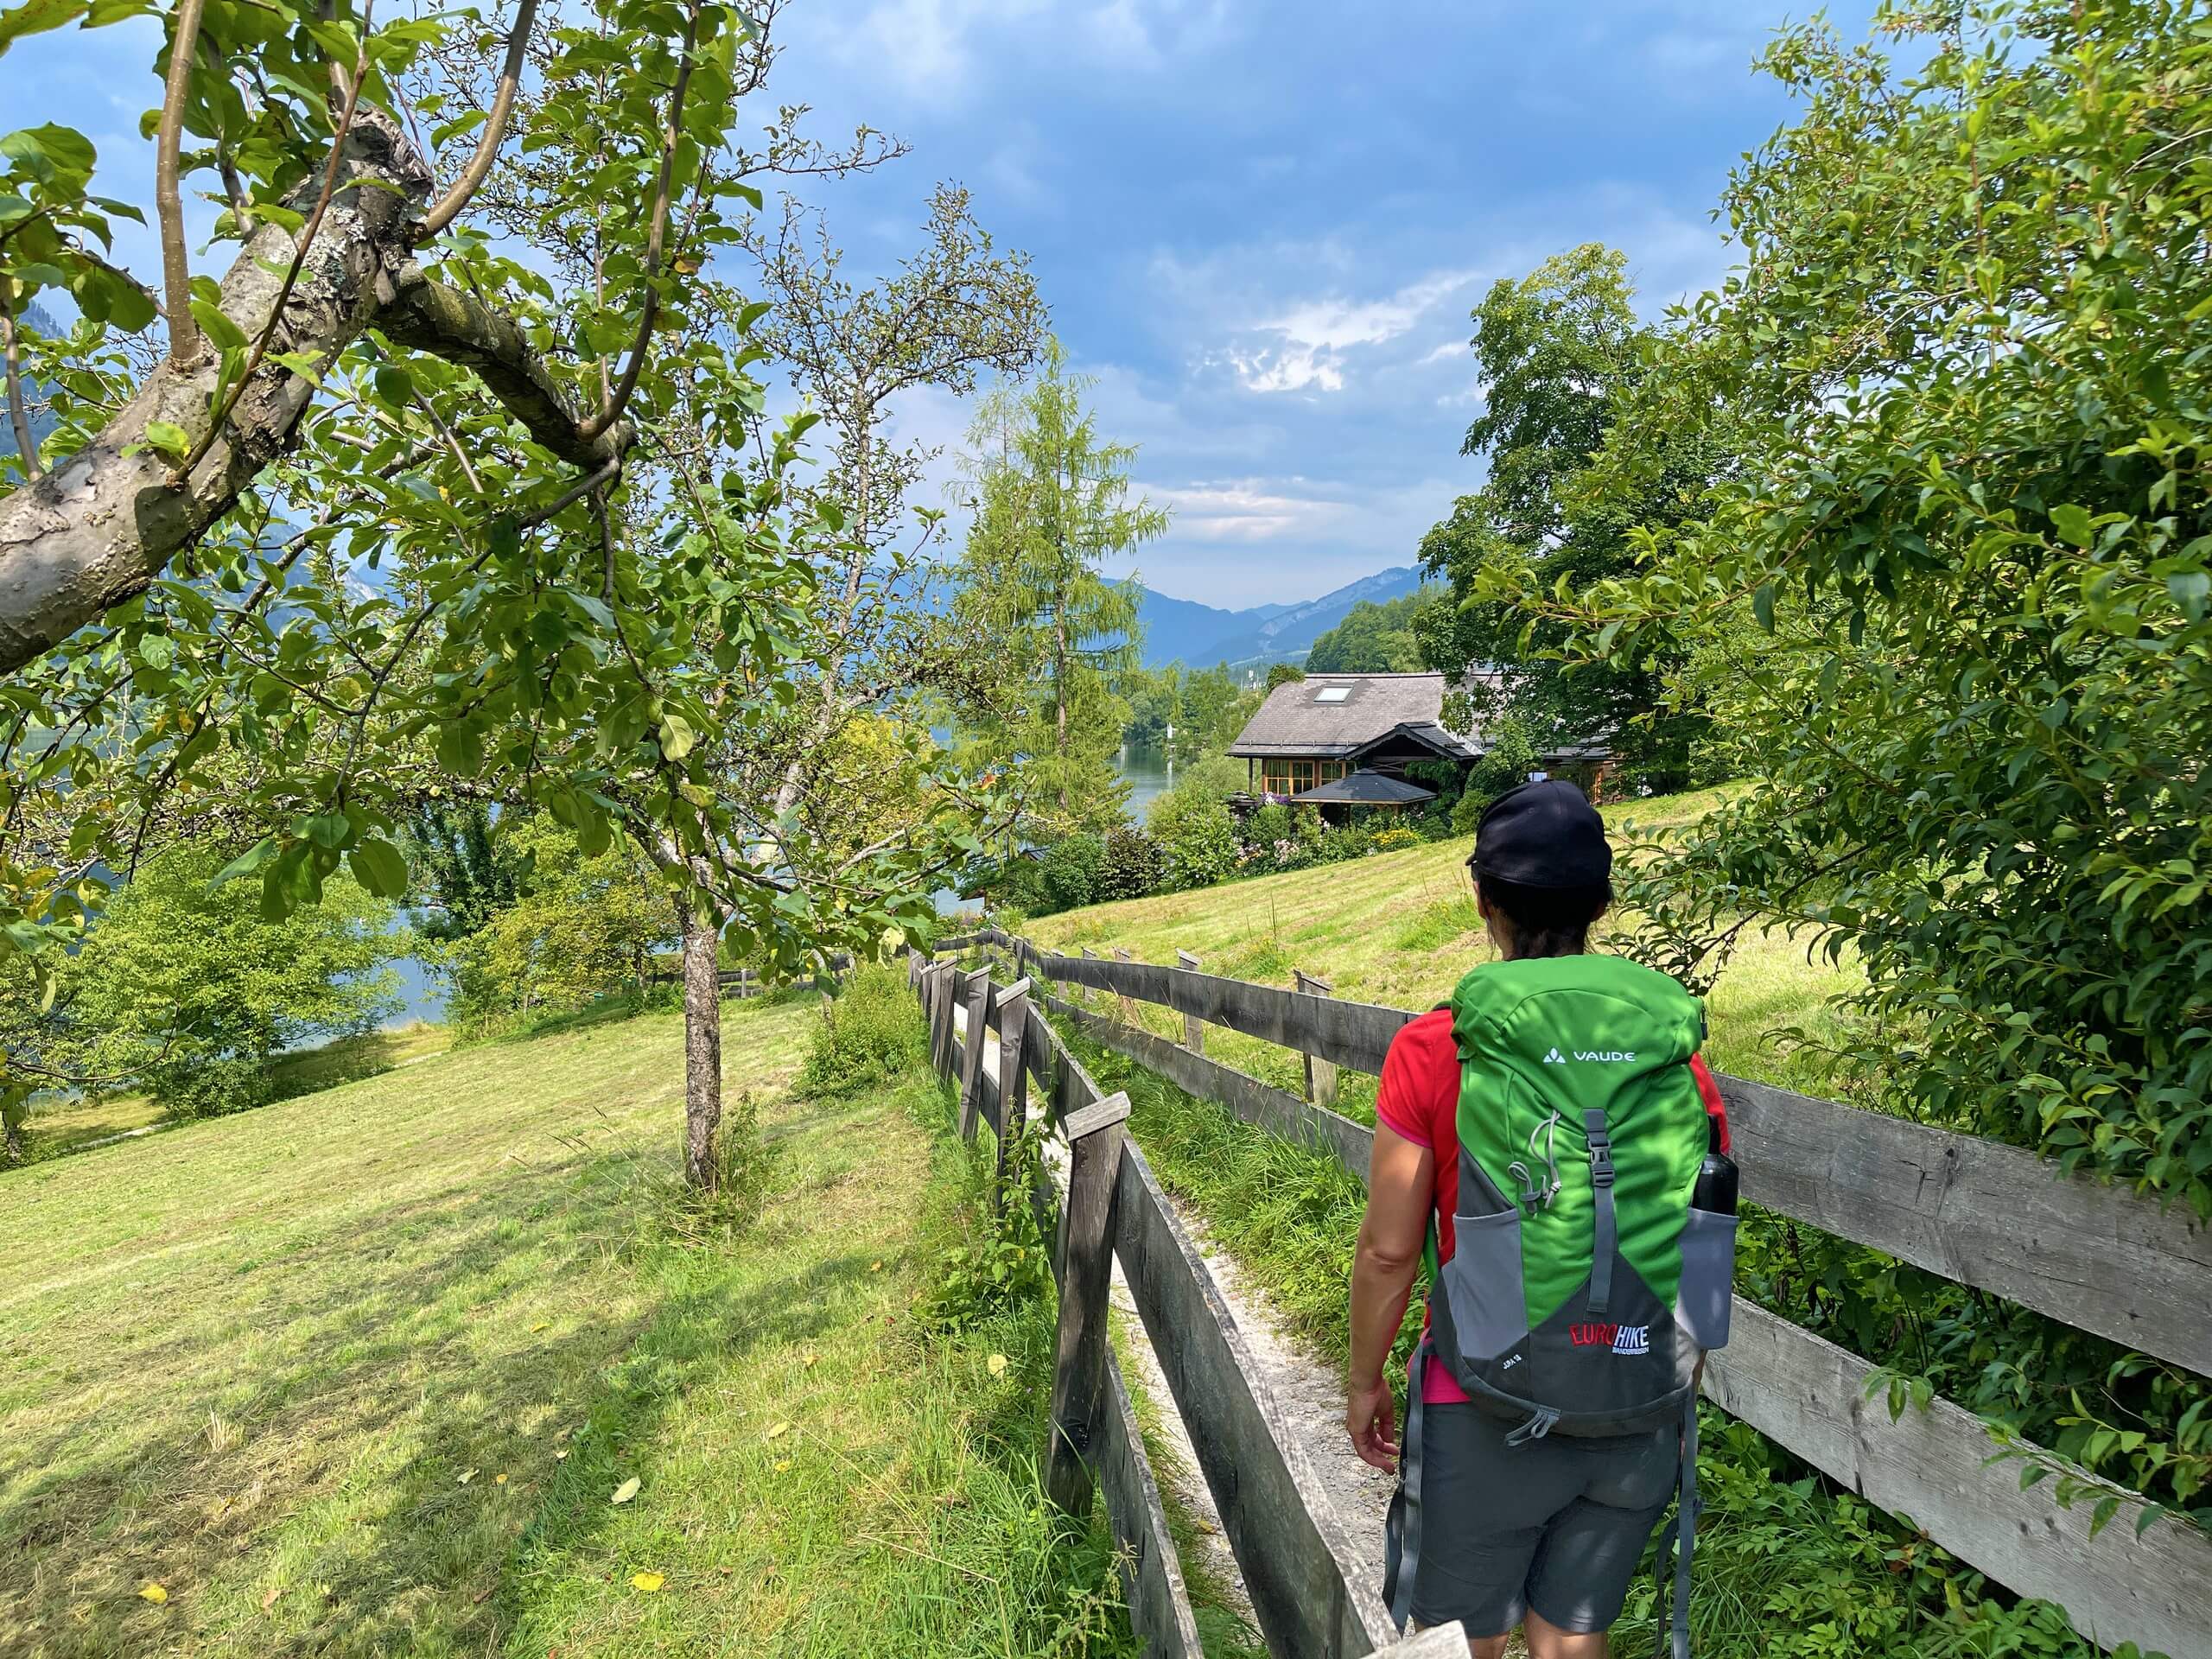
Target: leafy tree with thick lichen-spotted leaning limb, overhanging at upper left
{"x":375,"y":528}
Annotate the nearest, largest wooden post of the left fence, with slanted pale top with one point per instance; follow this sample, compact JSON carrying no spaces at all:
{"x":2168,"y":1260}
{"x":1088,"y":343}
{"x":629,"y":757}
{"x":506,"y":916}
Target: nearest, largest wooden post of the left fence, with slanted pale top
{"x":1081,"y":1353}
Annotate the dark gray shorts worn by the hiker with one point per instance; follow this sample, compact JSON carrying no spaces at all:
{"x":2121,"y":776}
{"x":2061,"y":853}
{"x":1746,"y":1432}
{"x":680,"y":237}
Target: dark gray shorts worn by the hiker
{"x":1556,"y":1525}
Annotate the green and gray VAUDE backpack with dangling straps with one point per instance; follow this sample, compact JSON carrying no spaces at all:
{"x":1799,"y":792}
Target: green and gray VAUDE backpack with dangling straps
{"x":1585,"y":1286}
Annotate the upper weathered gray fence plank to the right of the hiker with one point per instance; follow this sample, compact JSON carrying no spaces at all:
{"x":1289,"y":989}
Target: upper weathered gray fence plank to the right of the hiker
{"x":1981,"y":1213}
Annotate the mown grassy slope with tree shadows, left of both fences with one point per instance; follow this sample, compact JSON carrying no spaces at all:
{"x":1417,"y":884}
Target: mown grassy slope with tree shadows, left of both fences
{"x":359,"y":1375}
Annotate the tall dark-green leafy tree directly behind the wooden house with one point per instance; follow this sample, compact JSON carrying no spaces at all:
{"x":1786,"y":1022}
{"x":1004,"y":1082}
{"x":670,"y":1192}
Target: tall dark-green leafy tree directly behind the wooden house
{"x":1561,"y":353}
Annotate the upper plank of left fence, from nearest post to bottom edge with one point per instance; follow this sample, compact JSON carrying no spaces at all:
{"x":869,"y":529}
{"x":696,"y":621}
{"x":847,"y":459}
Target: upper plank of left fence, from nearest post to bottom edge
{"x":1291,"y":1554}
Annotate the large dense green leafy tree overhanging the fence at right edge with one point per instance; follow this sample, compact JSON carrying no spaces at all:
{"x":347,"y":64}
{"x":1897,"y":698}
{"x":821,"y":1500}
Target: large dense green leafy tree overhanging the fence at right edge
{"x":1957,"y":594}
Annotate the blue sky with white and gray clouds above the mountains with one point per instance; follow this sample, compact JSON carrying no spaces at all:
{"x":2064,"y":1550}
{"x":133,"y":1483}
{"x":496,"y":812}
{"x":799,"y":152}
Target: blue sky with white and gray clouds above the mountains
{"x":1258,"y":222}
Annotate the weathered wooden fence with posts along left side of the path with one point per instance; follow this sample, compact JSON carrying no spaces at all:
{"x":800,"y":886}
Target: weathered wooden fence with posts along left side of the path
{"x":1003,"y":1054}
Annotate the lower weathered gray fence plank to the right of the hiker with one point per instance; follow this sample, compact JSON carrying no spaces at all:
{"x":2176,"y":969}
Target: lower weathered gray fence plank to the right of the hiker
{"x":1934,"y":1468}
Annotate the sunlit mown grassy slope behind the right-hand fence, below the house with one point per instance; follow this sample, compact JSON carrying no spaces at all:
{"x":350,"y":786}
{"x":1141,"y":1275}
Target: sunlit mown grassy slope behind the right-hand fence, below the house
{"x":1401,"y":928}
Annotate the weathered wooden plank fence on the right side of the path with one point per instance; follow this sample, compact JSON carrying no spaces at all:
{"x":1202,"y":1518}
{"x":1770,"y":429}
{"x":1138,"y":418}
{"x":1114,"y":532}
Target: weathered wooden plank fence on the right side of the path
{"x":1987,"y":1215}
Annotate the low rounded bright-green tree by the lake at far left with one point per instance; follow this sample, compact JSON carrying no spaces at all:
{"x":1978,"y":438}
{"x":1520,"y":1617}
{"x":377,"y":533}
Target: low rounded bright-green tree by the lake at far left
{"x":191,"y":994}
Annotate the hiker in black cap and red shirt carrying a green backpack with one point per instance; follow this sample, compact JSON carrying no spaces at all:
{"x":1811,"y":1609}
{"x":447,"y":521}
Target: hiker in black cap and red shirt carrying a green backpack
{"x":1558,"y":1147}
